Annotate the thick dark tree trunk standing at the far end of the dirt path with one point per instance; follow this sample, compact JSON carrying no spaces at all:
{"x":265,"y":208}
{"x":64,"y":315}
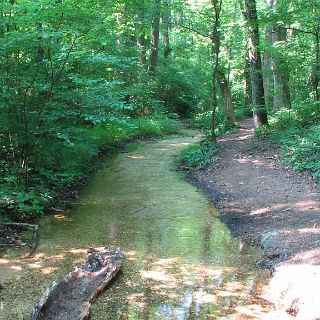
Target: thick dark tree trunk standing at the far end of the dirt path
{"x":258,"y":100}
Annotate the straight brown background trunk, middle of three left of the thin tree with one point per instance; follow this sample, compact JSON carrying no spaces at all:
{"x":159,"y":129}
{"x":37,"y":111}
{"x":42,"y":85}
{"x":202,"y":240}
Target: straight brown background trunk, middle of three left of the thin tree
{"x":155,"y":36}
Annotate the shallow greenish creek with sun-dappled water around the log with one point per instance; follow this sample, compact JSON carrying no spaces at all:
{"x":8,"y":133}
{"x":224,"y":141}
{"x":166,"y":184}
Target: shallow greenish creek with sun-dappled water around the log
{"x":181,"y":262}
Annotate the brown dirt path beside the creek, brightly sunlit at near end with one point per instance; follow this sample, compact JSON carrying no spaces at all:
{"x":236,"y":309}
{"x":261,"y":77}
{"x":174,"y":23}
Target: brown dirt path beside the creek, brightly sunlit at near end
{"x":265,"y":203}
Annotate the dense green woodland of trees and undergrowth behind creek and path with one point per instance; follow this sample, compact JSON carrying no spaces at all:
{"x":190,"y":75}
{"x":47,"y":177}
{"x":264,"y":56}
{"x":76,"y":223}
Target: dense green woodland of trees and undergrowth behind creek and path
{"x":81,"y":78}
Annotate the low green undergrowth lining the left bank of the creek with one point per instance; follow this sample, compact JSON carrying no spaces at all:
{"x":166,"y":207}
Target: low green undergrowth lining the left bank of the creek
{"x":66,"y":162}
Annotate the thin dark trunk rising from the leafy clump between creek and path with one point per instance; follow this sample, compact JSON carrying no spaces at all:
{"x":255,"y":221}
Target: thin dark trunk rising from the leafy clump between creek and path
{"x":215,"y":50}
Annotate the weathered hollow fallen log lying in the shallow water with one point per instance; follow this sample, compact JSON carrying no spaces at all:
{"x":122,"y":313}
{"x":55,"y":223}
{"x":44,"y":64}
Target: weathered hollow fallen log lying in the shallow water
{"x":71,"y":297}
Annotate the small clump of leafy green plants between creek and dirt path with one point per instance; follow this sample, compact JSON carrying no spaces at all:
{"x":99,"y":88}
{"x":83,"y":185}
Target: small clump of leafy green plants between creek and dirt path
{"x":198,"y":156}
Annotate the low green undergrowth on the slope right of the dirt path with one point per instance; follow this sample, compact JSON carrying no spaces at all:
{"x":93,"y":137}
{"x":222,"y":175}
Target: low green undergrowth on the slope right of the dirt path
{"x":299,"y":138}
